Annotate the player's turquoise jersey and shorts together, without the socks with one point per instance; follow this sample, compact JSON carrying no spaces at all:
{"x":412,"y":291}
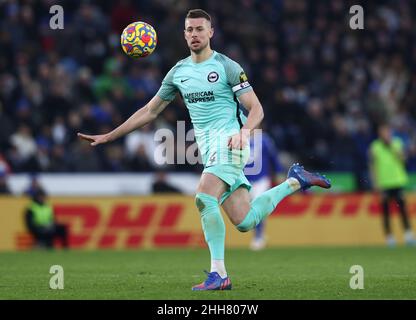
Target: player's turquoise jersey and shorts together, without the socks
{"x":210,"y":90}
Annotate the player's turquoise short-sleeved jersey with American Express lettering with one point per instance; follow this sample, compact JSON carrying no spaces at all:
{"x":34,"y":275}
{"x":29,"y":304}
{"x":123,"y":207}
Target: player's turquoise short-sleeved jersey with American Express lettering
{"x":210,"y":90}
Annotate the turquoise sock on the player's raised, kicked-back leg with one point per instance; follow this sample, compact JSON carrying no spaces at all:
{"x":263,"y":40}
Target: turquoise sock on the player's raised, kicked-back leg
{"x":265,"y":204}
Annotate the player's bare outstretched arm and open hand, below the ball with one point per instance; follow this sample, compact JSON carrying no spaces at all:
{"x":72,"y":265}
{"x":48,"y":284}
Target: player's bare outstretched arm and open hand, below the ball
{"x":137,"y":120}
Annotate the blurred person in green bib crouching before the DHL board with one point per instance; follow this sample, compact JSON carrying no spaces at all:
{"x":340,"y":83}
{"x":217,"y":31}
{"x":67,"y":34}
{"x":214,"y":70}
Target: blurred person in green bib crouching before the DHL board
{"x":40,"y":222}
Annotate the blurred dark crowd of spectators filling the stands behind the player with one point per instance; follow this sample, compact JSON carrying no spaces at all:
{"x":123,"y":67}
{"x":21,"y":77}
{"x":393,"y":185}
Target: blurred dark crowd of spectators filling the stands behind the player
{"x":324,"y":87}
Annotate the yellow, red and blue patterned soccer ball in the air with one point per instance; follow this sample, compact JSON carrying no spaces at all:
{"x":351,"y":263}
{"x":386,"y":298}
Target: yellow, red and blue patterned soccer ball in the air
{"x":138,"y":39}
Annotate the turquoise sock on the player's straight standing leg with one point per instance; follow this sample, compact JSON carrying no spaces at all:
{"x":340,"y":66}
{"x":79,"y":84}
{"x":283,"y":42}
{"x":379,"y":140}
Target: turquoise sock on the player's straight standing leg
{"x":212,"y":224}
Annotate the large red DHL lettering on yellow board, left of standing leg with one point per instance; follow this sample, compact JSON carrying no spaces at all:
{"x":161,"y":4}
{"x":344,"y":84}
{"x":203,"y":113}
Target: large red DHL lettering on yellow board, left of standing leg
{"x":127,"y":226}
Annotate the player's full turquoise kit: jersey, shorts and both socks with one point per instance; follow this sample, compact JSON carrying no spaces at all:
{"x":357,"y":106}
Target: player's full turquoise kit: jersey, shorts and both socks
{"x":210,"y":90}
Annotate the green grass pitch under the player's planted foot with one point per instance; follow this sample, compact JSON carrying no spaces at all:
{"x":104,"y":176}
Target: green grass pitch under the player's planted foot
{"x":280,"y":273}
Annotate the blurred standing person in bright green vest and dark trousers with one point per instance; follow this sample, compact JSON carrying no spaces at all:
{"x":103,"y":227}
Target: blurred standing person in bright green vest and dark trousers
{"x":389,"y":176}
